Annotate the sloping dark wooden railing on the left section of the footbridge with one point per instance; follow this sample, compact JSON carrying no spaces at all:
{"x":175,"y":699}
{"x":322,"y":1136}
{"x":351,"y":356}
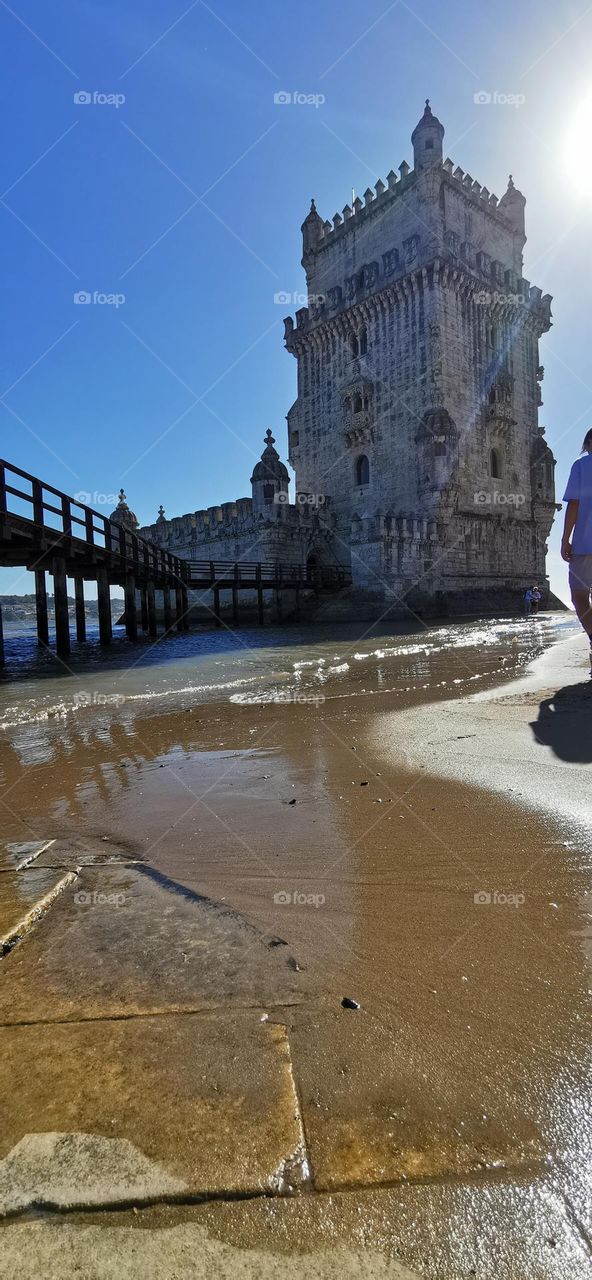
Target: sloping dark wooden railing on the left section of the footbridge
{"x":53,"y":513}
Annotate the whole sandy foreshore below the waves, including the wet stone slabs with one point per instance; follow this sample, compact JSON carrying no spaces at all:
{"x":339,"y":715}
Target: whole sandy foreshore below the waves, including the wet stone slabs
{"x":409,"y":835}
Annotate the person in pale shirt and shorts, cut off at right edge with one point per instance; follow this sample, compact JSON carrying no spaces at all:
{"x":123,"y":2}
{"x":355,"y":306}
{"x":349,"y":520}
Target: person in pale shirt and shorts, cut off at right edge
{"x":577,"y":541}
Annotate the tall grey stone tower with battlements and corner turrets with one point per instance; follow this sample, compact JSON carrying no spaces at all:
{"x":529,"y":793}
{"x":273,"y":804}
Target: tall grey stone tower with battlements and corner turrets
{"x":418,"y":386}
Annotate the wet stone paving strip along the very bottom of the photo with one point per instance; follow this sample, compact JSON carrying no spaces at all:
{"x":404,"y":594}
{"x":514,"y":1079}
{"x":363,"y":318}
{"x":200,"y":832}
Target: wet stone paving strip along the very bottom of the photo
{"x":431,"y":1232}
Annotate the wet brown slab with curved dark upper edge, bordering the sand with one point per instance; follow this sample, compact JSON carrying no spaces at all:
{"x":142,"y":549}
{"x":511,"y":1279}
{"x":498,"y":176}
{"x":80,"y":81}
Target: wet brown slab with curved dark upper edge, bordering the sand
{"x":129,"y":940}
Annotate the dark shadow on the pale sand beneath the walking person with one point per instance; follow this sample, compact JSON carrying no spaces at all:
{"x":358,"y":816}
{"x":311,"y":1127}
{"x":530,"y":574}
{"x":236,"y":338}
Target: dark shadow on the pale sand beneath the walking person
{"x":566,"y":724}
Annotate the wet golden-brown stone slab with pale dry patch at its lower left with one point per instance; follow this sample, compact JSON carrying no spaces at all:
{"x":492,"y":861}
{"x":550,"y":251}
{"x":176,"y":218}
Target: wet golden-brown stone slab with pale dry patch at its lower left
{"x":135,"y":1110}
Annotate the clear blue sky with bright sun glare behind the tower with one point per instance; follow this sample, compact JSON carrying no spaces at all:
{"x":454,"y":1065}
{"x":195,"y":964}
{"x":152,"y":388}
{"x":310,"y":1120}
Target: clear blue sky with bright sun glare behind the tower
{"x":188,"y":199}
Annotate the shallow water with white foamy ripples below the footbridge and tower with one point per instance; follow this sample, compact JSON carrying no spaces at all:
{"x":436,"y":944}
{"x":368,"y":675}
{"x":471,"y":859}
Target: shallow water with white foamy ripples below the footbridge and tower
{"x":292,"y":665}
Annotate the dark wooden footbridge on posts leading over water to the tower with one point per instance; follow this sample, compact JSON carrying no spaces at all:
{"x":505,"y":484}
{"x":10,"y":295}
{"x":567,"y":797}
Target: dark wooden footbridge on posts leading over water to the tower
{"x":45,"y":531}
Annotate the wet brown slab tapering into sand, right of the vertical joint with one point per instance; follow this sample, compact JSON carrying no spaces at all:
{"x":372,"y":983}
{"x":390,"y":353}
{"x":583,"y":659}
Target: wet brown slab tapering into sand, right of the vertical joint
{"x":372,"y":1116}
